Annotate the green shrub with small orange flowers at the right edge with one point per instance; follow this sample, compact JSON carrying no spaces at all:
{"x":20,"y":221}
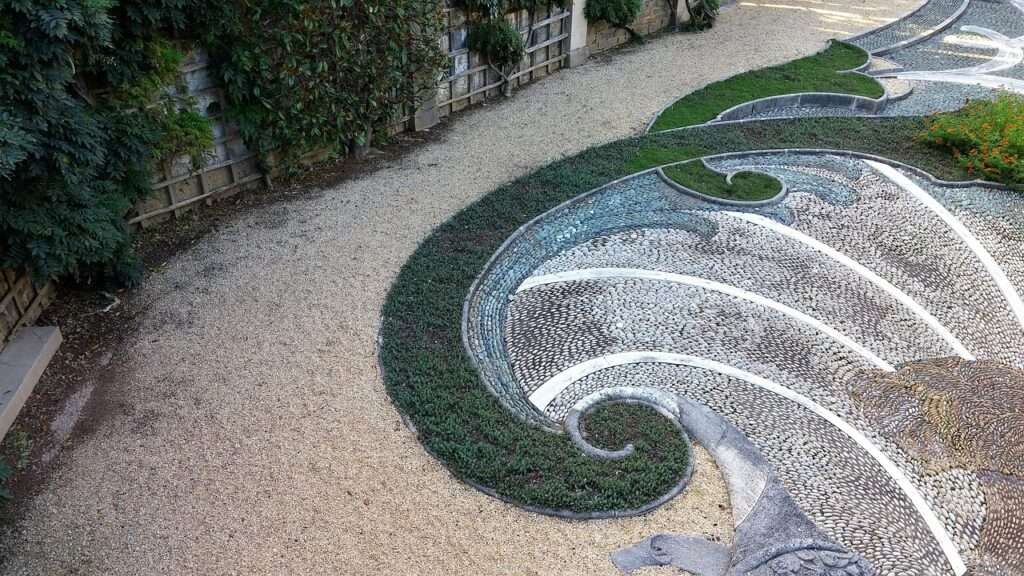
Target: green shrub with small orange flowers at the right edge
{"x":987,"y":138}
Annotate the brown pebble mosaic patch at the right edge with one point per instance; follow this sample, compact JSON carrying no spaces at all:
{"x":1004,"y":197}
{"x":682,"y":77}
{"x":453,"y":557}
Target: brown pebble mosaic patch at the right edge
{"x":952,"y":414}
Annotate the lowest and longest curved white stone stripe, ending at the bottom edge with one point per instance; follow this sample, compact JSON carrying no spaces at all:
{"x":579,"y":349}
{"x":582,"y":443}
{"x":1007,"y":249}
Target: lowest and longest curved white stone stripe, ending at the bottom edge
{"x":552,"y":388}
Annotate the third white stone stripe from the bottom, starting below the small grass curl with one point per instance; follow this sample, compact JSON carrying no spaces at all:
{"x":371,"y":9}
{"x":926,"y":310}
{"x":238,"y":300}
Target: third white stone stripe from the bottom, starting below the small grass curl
{"x":863,"y":271}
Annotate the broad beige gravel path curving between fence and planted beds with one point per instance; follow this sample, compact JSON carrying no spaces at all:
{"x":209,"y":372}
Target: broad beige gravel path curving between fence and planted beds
{"x":249,"y":432}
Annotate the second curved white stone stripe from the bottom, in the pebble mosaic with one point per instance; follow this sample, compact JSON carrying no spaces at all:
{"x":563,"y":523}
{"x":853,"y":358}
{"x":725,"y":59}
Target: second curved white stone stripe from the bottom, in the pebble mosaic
{"x":602,"y":273}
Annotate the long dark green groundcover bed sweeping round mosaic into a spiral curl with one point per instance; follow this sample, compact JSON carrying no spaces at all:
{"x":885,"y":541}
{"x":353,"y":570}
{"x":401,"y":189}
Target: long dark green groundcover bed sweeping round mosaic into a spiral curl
{"x":433,"y":382}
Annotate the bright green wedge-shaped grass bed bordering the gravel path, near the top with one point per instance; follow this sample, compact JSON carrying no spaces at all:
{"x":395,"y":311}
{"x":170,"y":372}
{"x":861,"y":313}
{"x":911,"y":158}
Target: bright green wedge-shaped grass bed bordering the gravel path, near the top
{"x":820,"y":73}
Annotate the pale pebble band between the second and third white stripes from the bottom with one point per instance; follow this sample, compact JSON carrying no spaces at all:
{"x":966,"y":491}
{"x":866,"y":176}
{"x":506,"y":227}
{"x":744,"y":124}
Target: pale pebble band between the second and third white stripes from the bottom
{"x":781,"y":269}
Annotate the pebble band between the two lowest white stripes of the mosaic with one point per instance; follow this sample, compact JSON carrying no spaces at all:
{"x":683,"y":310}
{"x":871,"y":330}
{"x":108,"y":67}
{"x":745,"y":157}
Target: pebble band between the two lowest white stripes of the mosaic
{"x":556,"y":327}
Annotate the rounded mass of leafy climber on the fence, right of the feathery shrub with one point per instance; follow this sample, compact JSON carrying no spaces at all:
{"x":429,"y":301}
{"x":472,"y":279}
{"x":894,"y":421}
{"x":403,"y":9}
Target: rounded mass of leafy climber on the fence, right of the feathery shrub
{"x":325,"y":74}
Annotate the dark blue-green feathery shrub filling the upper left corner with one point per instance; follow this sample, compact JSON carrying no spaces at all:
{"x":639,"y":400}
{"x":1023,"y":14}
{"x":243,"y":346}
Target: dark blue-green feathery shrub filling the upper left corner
{"x":83,"y":117}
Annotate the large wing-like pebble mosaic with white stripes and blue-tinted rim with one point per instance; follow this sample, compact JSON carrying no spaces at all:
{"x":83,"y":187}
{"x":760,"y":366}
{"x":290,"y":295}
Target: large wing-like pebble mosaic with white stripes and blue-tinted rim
{"x":767,"y":316}
